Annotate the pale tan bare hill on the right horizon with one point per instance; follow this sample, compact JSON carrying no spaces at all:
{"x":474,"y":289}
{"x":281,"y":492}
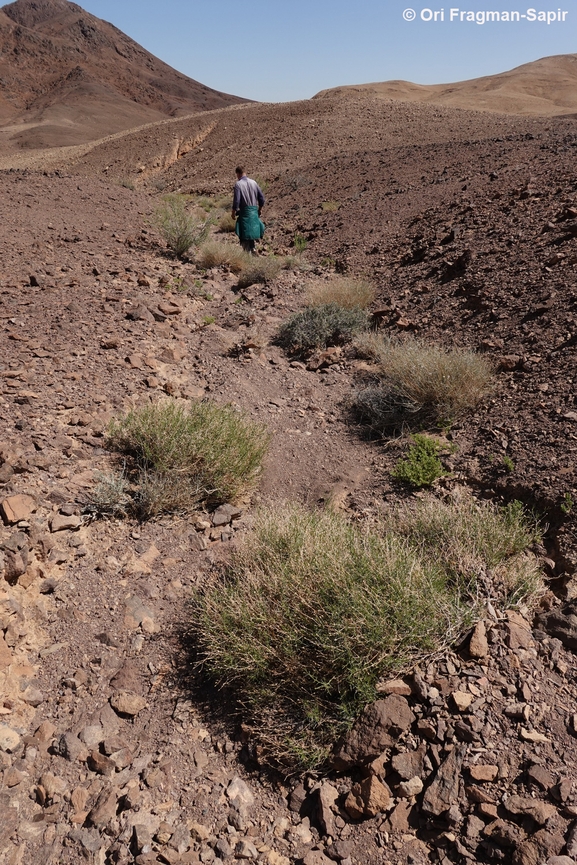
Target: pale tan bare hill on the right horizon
{"x":547,"y":87}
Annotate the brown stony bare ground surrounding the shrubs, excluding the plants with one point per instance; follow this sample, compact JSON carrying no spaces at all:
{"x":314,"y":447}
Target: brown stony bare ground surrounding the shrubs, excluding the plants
{"x":109,"y":750}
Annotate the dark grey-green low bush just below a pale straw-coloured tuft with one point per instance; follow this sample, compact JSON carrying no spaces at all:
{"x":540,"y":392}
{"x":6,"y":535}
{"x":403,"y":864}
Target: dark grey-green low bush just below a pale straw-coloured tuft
{"x":320,"y":326}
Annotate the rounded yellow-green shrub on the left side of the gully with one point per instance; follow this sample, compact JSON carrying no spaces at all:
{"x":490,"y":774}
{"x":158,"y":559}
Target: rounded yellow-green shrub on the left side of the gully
{"x":183,"y":455}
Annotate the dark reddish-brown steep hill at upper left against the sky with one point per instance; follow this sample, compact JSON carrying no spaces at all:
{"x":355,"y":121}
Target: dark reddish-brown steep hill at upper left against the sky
{"x":68,"y":77}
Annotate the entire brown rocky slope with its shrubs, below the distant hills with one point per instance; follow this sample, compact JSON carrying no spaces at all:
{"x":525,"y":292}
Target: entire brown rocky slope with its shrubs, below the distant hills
{"x":287,"y":541}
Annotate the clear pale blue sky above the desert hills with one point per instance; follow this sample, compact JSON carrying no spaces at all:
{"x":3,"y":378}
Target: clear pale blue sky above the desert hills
{"x":275,"y":51}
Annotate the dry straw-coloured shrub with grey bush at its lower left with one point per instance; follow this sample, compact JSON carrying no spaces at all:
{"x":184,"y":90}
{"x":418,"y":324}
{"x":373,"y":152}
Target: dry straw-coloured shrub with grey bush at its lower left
{"x":420,"y":384}
